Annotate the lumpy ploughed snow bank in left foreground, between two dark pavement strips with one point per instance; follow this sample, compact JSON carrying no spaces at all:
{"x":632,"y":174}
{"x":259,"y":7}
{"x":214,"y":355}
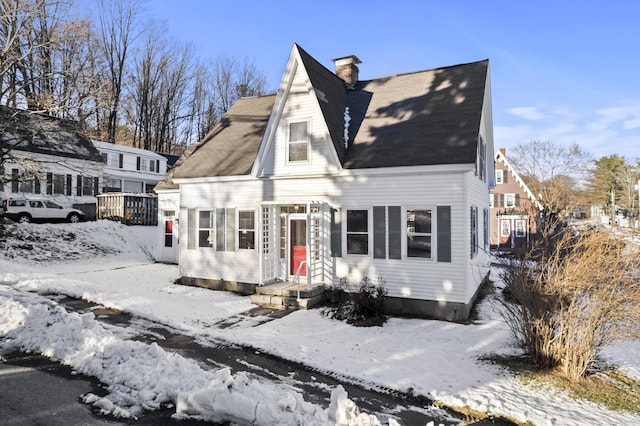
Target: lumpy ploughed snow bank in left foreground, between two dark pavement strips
{"x":145,"y":377}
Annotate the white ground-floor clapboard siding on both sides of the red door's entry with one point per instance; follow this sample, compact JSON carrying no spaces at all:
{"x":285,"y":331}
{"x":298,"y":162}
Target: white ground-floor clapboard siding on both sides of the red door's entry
{"x":454,"y":281}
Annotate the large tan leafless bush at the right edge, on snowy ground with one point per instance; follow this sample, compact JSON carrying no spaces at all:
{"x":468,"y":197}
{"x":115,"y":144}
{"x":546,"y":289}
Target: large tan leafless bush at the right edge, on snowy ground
{"x":578,"y":296}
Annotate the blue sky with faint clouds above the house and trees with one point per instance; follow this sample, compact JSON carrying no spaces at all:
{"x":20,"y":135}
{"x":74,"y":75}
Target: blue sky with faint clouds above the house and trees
{"x":565,"y":71}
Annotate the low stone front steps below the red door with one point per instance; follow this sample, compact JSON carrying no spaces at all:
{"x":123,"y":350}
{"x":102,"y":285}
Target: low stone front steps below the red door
{"x":288,"y":295}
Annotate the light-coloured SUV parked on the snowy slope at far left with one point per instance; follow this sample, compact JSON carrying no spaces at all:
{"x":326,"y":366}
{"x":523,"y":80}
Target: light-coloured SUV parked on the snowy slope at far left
{"x":25,"y":210}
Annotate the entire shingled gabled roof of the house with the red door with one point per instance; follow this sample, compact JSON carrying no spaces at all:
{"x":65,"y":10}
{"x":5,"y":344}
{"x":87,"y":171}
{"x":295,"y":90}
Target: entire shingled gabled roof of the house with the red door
{"x":423,"y":118}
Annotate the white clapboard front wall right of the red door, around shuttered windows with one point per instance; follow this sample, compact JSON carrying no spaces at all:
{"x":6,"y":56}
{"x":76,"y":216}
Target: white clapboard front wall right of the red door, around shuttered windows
{"x":411,"y":278}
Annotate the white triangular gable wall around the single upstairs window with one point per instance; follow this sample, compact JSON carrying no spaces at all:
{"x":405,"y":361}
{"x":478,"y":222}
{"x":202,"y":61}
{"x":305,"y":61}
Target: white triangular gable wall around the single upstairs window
{"x":301,"y":105}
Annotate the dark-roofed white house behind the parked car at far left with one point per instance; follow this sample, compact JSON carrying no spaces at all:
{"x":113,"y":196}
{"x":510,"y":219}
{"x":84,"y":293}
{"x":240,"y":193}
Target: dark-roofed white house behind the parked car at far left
{"x":48,"y":156}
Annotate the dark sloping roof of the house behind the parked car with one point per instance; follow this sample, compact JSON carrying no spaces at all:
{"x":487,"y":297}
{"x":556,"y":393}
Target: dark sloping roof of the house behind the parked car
{"x":38,"y":133}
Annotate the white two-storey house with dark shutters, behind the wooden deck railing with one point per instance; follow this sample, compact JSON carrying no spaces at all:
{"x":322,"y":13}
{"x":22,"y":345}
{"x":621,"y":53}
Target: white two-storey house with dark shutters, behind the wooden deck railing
{"x":130,"y":169}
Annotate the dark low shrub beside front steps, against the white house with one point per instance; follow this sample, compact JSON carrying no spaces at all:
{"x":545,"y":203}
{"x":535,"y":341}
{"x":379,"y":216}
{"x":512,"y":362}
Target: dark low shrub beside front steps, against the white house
{"x":360,"y":304}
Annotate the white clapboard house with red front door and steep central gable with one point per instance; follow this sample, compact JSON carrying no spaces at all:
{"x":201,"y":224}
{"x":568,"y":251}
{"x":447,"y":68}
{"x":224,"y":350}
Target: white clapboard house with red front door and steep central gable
{"x":334,"y":178}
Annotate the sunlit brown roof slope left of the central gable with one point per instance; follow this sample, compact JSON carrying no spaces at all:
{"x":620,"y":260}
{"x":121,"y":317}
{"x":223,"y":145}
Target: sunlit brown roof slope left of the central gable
{"x":231,"y":146}
